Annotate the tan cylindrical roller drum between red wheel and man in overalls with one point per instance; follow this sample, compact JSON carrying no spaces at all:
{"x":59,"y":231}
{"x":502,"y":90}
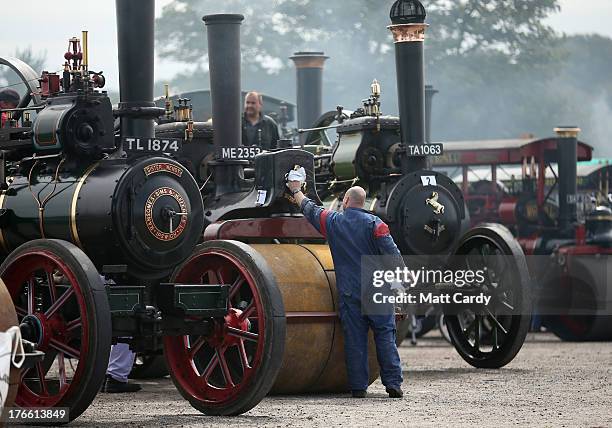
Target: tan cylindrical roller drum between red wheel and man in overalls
{"x":313,"y":360}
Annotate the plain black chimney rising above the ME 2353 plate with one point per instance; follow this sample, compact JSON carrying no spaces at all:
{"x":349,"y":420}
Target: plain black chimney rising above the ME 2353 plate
{"x":224,"y":69}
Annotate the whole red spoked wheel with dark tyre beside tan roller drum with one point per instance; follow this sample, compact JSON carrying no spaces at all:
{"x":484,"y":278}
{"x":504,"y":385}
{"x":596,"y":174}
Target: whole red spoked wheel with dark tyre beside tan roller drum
{"x":231,"y":370}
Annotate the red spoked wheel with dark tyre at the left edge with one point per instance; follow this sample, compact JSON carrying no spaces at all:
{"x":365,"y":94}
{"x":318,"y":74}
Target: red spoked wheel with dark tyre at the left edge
{"x":62,"y":307}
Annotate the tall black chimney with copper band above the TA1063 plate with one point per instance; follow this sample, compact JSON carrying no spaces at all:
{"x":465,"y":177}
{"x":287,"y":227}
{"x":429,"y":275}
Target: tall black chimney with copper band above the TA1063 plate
{"x":408,"y":28}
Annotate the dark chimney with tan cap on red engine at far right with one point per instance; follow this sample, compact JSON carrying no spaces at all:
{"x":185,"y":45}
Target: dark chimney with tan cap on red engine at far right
{"x":567,"y":158}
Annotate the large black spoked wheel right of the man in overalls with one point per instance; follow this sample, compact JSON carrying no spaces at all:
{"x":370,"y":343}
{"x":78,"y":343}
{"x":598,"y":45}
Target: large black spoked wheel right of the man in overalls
{"x":490,"y":336}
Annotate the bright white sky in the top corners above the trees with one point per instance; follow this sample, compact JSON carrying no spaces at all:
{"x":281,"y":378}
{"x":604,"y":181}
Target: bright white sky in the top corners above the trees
{"x":35,"y":29}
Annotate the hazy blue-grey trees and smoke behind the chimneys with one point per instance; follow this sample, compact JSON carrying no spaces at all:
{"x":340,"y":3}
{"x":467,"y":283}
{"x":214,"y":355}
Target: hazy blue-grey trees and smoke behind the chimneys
{"x":500,"y":70}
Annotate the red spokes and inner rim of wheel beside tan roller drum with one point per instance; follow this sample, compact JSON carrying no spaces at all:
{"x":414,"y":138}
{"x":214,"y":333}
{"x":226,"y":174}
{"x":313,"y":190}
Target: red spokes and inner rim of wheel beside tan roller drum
{"x":201,"y":364}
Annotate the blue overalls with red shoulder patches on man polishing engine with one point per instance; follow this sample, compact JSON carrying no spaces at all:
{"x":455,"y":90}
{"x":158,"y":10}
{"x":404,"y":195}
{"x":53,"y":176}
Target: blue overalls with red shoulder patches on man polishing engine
{"x":350,"y":235}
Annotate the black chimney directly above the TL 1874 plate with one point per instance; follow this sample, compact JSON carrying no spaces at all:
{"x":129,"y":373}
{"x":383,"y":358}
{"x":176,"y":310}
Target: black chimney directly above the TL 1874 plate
{"x":135,"y":39}
